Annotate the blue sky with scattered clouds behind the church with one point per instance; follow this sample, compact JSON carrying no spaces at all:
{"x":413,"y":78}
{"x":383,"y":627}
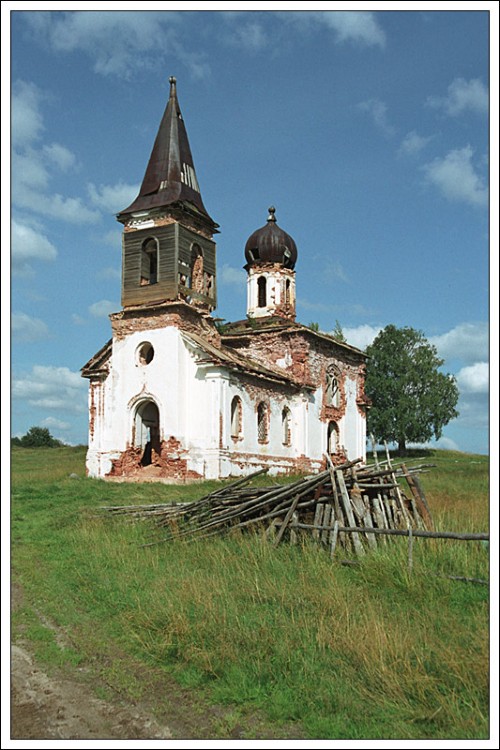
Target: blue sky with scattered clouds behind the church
{"x":368,"y":130}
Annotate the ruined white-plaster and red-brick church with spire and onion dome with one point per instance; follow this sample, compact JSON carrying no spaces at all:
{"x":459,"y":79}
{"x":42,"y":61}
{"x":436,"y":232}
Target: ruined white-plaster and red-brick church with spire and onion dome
{"x":176,"y":395}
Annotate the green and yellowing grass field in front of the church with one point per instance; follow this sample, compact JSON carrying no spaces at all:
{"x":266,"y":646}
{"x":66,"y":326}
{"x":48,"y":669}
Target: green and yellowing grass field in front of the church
{"x":334,"y":652}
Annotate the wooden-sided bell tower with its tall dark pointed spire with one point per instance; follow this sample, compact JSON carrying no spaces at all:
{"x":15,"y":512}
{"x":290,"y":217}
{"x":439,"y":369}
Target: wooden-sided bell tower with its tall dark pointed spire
{"x":168,"y":248}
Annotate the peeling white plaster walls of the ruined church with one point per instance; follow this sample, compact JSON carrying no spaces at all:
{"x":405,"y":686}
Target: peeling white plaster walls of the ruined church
{"x":193,"y":397}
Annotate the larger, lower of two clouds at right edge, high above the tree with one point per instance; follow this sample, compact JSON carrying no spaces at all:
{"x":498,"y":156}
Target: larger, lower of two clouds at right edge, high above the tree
{"x":455,"y":177}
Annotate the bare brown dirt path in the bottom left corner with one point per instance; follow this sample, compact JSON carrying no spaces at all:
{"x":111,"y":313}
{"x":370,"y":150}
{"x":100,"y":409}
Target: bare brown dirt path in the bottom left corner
{"x":64,"y":704}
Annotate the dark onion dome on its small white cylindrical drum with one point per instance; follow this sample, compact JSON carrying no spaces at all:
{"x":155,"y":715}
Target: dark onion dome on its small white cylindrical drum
{"x":271,"y":255}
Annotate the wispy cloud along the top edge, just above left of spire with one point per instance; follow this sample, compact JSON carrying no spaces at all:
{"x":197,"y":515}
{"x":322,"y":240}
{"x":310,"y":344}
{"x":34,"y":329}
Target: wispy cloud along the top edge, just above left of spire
{"x":118,"y":42}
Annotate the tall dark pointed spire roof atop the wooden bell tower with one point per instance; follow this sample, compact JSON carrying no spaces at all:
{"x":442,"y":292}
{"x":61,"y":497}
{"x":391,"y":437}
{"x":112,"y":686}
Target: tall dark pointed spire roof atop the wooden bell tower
{"x":170,"y":175}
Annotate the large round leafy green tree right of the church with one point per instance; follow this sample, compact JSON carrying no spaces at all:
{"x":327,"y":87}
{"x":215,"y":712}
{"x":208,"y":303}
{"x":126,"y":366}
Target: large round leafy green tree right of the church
{"x":411,"y":399}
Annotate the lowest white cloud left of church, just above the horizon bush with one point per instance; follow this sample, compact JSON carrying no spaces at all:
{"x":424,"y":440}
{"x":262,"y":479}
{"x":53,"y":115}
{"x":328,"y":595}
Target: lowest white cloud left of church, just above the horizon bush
{"x":52,"y":388}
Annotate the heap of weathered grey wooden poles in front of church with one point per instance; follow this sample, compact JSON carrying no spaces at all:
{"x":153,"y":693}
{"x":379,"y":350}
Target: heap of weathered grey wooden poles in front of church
{"x":347,"y":505}
